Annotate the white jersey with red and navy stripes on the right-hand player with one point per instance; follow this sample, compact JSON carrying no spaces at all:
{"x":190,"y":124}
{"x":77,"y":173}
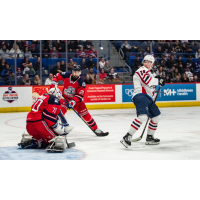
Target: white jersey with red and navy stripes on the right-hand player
{"x":144,"y":82}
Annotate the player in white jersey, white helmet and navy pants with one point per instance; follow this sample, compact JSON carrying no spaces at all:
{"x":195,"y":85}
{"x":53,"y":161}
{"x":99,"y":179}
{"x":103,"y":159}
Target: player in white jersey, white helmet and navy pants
{"x":143,"y":98}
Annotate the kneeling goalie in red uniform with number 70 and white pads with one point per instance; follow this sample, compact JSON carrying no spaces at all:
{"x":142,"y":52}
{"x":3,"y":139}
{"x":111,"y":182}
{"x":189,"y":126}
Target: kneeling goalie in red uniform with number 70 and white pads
{"x":43,"y":126}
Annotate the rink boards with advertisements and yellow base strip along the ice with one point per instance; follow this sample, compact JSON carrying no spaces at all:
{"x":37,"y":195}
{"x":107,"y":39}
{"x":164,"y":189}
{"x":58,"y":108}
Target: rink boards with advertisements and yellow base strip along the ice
{"x":20,"y":98}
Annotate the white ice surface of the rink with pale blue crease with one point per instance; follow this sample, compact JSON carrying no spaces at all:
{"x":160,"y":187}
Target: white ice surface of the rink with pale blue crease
{"x":178,"y":130}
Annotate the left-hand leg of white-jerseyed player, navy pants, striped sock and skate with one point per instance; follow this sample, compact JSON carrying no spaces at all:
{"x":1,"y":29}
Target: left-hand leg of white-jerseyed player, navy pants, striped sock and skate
{"x":141,"y":103}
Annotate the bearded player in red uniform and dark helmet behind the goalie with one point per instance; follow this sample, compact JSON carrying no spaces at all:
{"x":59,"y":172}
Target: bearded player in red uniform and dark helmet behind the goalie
{"x":73,"y":92}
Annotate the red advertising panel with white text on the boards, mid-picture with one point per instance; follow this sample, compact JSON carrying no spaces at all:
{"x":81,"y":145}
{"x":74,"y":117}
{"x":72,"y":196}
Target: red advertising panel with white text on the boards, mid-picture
{"x":99,"y":93}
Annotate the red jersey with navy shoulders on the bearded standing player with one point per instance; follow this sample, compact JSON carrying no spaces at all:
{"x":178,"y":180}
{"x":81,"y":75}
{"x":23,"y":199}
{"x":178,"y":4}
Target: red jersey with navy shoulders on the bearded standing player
{"x":72,"y":89}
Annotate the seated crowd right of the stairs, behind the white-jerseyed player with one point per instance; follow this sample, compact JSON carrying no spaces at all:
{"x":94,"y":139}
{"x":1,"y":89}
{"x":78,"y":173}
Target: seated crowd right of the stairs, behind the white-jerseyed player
{"x":168,"y":59}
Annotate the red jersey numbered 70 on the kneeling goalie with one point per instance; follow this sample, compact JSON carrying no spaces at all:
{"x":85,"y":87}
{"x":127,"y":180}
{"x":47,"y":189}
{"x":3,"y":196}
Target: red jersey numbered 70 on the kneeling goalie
{"x":46,"y":107}
